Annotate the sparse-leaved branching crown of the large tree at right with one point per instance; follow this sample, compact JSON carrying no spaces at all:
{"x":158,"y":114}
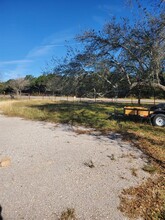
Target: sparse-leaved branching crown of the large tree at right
{"x":131,"y":52}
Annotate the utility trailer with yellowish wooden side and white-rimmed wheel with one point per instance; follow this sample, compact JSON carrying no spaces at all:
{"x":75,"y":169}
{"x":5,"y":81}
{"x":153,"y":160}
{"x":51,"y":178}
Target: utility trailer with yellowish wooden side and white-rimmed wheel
{"x":156,"y":113}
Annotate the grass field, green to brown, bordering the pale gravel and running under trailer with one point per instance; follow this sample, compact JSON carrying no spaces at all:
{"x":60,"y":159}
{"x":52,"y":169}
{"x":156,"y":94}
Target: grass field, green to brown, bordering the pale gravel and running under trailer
{"x":151,"y":140}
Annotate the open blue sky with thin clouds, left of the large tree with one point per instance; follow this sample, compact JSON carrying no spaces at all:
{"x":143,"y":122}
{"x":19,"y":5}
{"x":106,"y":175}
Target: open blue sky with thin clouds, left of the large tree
{"x":33,"y":31}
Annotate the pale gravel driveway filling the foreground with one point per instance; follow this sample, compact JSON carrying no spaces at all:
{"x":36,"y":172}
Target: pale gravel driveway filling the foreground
{"x":46,"y":168}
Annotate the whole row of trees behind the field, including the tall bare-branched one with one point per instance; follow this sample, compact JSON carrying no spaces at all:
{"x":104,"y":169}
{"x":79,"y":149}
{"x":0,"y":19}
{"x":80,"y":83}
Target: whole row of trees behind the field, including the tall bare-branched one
{"x":123,"y":59}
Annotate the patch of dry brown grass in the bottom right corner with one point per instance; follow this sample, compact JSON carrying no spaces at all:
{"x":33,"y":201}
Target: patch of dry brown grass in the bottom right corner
{"x":146,"y":201}
